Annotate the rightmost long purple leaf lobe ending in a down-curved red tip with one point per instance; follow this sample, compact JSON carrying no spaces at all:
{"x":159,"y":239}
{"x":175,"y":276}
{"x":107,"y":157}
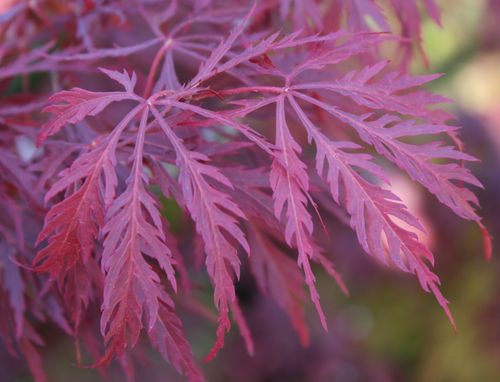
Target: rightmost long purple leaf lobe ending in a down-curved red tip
{"x":444,"y":180}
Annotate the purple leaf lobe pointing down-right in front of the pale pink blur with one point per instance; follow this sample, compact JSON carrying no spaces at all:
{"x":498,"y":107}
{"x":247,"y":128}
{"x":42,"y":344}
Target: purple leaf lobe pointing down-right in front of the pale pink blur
{"x":372,"y":208}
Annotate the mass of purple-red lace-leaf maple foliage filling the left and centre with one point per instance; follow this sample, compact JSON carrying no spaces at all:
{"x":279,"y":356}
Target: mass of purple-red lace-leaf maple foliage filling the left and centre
{"x":257,"y":118}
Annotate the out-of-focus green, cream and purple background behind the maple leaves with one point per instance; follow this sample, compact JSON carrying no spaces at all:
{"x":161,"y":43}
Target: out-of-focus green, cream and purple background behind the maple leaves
{"x":388,"y":329}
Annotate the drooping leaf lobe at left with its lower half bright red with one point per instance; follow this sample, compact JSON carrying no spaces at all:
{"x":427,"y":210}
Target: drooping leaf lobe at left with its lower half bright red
{"x":72,"y":225}
